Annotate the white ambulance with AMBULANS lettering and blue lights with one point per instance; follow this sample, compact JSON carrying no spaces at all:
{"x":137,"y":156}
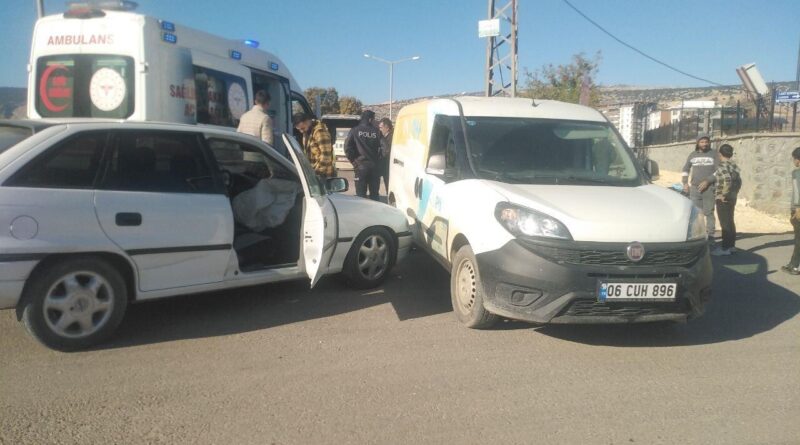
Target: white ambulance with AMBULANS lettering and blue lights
{"x":100,"y":59}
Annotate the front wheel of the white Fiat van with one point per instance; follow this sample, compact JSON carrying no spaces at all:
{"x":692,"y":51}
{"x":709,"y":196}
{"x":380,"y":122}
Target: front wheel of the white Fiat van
{"x":466,"y":291}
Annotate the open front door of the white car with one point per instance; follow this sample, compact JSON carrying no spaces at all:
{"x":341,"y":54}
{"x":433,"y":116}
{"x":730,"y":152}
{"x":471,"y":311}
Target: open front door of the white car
{"x":319,"y":217}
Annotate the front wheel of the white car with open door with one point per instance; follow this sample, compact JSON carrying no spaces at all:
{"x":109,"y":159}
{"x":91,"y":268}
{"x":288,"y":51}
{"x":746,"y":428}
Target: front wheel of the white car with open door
{"x":370,"y":258}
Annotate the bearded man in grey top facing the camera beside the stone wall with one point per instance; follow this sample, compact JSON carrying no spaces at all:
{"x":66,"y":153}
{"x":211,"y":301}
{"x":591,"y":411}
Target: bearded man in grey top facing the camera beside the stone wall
{"x":702,"y":163}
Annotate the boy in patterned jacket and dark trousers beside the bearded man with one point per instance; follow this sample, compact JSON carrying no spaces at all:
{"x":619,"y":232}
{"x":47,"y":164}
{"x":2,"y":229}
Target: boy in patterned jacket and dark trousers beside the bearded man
{"x":729,"y":181}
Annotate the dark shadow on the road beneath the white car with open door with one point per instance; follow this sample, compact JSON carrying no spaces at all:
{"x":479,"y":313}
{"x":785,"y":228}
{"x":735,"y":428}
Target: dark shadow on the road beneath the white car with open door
{"x":262,"y":307}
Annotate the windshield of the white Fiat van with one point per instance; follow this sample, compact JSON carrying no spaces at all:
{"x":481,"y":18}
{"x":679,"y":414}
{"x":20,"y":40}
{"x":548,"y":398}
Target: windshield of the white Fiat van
{"x":548,"y":151}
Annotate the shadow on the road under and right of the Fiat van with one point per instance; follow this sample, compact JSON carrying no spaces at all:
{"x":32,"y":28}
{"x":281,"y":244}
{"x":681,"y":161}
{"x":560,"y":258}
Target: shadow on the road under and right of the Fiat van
{"x":744,"y":303}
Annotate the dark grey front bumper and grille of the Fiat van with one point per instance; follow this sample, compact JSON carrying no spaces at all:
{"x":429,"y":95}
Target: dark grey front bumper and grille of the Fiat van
{"x":557,"y":282}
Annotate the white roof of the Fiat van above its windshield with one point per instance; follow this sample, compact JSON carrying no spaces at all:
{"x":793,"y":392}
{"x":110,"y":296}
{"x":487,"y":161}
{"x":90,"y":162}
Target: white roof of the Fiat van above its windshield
{"x":524,"y":107}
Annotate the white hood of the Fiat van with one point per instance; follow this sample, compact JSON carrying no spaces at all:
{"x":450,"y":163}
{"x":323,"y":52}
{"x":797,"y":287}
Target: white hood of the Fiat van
{"x":607,"y":214}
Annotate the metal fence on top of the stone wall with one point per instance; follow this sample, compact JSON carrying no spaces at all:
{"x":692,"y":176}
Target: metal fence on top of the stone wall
{"x":720,"y":122}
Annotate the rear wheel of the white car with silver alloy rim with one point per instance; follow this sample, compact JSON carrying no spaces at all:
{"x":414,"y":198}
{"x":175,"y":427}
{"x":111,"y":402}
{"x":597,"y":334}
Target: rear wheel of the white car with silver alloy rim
{"x":74,"y":303}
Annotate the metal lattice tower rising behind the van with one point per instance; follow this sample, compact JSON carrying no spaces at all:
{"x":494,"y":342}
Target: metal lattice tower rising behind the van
{"x":501,"y":49}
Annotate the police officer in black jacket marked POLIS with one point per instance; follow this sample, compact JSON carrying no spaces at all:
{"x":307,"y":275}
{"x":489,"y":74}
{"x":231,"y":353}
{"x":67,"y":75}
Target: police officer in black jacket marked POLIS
{"x":363,"y":149}
